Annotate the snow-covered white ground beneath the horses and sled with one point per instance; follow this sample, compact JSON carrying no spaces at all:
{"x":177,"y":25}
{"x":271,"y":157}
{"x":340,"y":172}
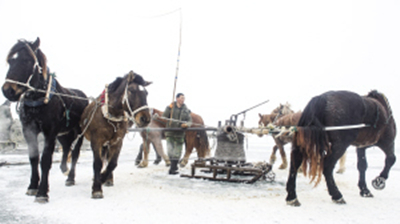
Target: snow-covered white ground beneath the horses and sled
{"x":151,"y":196}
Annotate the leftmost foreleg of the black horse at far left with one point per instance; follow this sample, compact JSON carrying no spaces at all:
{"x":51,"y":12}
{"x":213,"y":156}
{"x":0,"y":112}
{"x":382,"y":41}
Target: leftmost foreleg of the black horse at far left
{"x":30,"y":135}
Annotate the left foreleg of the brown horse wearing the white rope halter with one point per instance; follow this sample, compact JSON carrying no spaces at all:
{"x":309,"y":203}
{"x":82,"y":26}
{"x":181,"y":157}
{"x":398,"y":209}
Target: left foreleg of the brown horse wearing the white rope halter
{"x":97,"y":192}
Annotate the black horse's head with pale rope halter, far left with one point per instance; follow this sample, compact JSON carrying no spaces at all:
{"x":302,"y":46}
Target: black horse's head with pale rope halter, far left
{"x":27,"y":67}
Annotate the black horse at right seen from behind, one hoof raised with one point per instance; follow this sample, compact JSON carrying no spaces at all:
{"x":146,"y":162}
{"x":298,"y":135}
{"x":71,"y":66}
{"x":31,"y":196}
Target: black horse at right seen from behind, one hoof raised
{"x":317,"y":149}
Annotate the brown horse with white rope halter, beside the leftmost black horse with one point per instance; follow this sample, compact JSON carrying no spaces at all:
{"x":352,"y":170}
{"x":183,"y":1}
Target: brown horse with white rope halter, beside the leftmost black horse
{"x":105,"y":126}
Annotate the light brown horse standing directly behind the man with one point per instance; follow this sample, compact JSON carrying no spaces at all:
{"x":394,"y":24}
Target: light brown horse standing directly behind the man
{"x":193,"y":139}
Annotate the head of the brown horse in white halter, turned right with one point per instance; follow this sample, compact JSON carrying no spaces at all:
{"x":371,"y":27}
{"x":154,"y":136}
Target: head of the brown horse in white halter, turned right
{"x":131,"y":92}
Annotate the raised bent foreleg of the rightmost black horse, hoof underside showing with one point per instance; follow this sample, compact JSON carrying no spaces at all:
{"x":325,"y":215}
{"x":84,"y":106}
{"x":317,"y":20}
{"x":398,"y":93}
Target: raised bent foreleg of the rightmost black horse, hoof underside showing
{"x":379,"y":182}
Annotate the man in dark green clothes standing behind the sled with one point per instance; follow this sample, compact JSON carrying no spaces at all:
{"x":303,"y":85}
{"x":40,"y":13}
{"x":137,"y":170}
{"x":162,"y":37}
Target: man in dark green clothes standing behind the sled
{"x":180,"y":119}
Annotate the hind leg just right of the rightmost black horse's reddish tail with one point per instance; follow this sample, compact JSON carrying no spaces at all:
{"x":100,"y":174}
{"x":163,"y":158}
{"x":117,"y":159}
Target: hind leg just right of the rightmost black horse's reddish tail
{"x":329,"y":164}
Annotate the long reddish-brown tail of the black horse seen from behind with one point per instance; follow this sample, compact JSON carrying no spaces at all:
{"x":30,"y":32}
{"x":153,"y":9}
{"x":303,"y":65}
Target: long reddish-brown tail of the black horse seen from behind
{"x":311,"y":139}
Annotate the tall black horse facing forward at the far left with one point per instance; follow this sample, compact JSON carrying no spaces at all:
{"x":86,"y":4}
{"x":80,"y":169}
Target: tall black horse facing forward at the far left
{"x":45,"y":107}
